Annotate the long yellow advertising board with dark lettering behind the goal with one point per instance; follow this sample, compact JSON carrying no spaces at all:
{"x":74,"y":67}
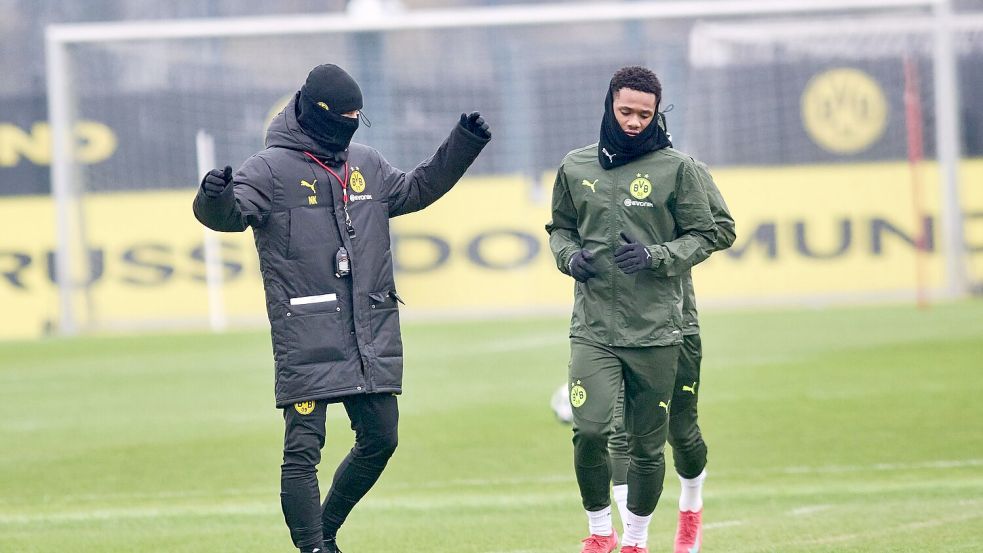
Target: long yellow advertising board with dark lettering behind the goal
{"x":831,"y":231}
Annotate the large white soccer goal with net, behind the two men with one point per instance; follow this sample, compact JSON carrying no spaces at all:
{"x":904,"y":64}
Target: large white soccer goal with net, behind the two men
{"x":128,"y":253}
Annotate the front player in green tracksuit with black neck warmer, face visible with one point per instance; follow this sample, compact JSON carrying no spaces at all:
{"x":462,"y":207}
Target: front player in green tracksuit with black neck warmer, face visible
{"x":629,"y":219}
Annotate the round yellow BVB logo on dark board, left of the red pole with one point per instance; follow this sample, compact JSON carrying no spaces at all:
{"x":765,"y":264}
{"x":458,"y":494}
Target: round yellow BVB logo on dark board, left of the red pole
{"x":844,"y":110}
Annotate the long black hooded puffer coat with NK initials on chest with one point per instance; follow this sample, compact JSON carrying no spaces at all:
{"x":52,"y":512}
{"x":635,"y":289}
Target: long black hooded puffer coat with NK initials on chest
{"x":332,"y":337}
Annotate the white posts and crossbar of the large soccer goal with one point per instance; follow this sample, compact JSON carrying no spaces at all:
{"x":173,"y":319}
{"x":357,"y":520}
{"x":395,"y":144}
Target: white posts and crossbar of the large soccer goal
{"x":59,"y":38}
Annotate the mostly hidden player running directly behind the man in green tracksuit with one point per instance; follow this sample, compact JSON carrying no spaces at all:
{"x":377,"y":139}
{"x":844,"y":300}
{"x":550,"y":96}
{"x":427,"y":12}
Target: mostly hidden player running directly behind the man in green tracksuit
{"x":689,"y":451}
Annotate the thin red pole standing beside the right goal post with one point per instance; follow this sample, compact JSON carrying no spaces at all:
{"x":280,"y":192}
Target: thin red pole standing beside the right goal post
{"x":916,"y":153}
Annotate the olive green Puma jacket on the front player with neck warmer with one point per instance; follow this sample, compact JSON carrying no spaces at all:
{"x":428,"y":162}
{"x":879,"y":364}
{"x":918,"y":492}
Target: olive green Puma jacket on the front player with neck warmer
{"x":657,"y":199}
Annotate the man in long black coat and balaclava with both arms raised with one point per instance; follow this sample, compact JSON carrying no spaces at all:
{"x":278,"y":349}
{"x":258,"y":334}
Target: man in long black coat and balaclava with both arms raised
{"x":319,"y":207}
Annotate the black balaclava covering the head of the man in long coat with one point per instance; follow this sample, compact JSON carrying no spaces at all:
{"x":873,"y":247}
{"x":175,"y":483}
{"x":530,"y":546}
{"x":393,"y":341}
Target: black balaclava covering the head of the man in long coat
{"x":329,"y":92}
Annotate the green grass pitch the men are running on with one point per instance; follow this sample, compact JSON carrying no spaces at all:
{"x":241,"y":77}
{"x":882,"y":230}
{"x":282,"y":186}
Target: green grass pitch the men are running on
{"x":839,"y":430}
